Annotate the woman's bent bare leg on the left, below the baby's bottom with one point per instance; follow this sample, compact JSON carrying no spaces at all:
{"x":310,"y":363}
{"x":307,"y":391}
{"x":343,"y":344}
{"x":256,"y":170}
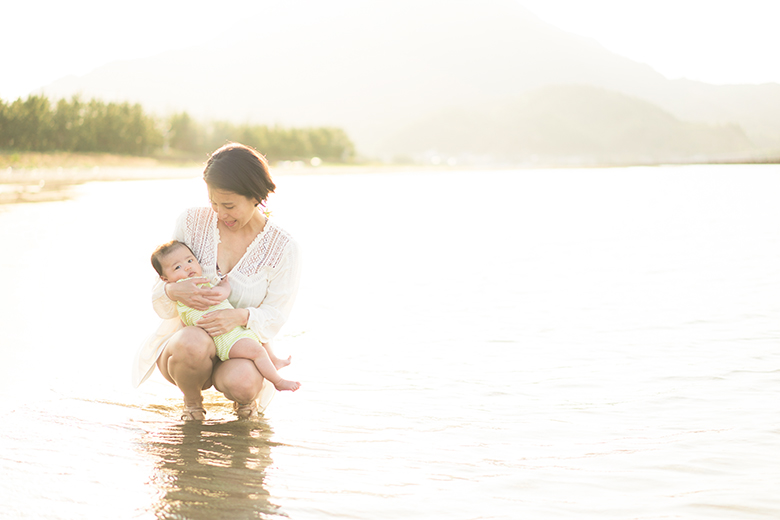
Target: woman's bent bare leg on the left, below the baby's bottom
{"x":188,"y":361}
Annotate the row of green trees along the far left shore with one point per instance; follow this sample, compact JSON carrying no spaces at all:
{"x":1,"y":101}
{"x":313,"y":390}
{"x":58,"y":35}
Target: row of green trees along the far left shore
{"x":40,"y":125}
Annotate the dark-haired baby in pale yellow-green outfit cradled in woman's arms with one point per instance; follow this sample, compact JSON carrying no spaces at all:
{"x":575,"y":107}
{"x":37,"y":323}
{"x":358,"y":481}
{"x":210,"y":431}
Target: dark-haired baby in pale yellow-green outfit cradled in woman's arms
{"x":175,"y":262}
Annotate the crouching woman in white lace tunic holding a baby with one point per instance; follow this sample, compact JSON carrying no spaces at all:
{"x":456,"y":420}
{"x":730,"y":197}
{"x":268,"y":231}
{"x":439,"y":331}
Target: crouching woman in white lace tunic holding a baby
{"x":232,"y":238}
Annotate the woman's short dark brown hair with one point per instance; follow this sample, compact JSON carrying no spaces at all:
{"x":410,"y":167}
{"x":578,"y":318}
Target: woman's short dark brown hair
{"x":239,"y":169}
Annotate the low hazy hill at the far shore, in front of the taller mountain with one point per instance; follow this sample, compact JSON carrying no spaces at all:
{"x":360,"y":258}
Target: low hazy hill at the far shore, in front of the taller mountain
{"x":571,"y":123}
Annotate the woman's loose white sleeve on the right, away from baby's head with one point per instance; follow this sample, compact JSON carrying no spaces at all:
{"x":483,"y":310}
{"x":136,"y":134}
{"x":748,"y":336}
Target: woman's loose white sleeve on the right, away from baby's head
{"x":266,"y":319}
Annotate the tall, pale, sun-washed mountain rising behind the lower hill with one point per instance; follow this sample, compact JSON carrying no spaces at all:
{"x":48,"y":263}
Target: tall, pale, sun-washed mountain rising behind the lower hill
{"x":376,"y":69}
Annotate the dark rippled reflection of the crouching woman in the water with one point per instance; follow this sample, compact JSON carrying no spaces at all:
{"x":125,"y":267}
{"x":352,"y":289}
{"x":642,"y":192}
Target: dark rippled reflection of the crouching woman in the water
{"x":211,"y":470}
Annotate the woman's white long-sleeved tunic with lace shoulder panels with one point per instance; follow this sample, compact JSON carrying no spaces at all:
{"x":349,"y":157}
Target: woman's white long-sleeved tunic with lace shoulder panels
{"x":264,"y":281}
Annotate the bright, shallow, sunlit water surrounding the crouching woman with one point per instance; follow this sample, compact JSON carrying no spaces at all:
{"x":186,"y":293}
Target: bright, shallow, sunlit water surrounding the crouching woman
{"x":597,"y":344}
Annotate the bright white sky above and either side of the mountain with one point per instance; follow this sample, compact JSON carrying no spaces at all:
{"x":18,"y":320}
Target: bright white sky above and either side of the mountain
{"x":711,"y":41}
